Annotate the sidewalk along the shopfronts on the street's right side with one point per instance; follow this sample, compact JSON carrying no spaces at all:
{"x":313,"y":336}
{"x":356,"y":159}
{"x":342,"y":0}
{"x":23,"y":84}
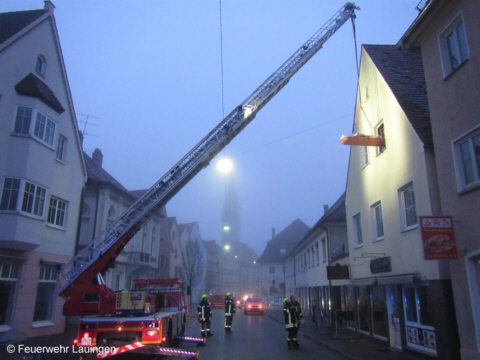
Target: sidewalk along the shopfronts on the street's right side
{"x":349,"y":344}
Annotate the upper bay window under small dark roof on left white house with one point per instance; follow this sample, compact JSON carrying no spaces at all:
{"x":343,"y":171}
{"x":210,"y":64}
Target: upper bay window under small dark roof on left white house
{"x":43,"y":129}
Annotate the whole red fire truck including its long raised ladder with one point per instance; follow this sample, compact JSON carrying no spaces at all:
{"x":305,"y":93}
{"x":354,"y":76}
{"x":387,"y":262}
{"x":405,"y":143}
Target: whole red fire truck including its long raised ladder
{"x":152,"y":314}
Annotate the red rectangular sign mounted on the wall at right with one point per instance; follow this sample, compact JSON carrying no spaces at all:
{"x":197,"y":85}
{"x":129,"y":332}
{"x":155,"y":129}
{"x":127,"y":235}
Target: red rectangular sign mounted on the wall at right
{"x":438,"y":238}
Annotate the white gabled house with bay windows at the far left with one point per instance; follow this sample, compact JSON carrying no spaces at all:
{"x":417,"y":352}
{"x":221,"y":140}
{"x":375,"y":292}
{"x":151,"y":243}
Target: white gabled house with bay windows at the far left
{"x":42,"y":172}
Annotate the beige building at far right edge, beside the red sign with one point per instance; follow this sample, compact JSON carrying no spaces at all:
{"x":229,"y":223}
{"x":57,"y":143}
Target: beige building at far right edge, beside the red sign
{"x":448,"y":34}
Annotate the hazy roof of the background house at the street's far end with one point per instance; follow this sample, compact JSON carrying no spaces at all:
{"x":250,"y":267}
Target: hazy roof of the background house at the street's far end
{"x":282,"y":244}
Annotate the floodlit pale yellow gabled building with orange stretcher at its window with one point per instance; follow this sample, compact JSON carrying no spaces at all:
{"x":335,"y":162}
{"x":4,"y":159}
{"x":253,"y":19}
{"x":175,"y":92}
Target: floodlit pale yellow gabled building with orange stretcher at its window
{"x":397,"y":294}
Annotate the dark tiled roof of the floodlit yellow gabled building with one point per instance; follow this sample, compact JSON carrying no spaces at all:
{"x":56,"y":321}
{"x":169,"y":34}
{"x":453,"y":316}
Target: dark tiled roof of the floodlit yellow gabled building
{"x":403,"y":73}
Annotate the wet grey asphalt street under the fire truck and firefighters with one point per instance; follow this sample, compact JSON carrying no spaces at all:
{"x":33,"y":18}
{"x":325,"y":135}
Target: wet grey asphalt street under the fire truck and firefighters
{"x":253,"y":337}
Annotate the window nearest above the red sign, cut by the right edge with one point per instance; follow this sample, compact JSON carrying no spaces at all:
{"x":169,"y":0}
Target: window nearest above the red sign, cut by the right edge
{"x":467,"y":160}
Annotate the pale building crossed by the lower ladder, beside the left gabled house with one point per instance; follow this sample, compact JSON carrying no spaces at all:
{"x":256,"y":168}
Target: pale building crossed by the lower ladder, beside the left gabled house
{"x":147,"y":255}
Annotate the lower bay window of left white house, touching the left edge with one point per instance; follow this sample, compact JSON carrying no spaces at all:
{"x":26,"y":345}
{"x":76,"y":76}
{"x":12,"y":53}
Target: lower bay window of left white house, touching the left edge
{"x":32,"y":200}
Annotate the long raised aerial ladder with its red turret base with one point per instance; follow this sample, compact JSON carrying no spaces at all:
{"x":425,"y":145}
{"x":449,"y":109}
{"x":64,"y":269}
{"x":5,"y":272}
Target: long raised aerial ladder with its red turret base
{"x":82,"y":284}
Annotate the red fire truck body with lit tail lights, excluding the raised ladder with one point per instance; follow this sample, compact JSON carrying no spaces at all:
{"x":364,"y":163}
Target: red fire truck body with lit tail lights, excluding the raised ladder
{"x":152,"y":313}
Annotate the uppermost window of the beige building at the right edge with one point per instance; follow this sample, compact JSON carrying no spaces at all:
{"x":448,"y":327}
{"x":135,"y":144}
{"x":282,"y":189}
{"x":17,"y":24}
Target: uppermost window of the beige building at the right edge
{"x":462,"y":53}
